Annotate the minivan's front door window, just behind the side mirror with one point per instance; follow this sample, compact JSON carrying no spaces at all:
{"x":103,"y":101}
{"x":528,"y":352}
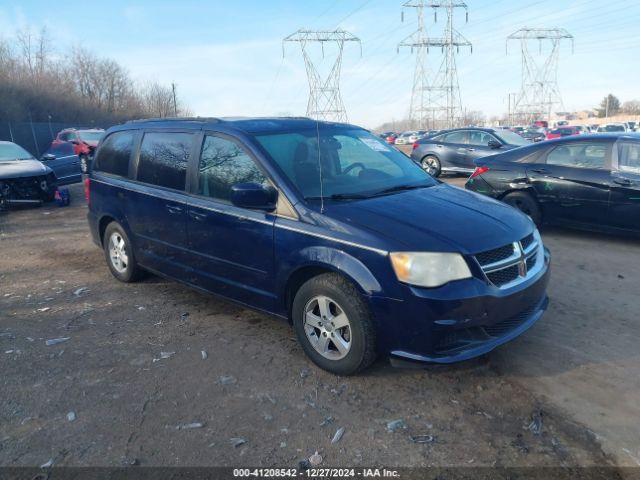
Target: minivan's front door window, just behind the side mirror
{"x":223,"y":163}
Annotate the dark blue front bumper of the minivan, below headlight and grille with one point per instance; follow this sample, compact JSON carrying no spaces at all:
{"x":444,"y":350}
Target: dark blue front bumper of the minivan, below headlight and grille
{"x":460,"y":321}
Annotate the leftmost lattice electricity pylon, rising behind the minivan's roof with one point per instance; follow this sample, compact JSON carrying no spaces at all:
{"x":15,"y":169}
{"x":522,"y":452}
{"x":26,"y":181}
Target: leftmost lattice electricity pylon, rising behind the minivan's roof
{"x":325,"y":101}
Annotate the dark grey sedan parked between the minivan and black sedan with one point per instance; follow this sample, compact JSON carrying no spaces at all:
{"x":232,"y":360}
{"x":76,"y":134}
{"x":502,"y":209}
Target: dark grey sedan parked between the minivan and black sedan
{"x":455,"y":150}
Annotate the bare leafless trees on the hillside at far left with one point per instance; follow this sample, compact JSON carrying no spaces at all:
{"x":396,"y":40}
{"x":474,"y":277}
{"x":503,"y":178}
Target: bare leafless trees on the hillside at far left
{"x":40,"y":84}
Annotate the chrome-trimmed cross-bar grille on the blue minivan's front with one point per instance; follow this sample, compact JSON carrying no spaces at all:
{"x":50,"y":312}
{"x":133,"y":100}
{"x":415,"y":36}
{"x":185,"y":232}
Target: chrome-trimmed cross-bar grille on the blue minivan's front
{"x":510,"y":264}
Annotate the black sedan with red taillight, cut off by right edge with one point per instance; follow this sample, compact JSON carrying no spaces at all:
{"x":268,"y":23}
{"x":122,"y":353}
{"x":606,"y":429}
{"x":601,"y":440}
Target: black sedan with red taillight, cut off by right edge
{"x":587,"y":181}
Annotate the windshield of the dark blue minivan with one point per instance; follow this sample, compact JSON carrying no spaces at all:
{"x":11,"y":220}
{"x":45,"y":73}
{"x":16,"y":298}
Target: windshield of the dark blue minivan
{"x":351,"y":162}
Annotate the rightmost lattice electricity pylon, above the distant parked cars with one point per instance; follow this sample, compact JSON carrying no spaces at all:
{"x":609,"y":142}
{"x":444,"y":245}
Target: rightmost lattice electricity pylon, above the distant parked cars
{"x":539,"y":92}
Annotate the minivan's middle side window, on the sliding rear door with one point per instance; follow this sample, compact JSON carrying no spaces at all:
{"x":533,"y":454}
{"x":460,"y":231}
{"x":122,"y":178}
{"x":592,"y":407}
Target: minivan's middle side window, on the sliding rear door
{"x":163,"y":159}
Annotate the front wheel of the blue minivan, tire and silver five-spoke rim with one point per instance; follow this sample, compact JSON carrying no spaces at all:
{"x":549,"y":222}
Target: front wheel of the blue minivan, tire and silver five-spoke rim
{"x":333,"y":325}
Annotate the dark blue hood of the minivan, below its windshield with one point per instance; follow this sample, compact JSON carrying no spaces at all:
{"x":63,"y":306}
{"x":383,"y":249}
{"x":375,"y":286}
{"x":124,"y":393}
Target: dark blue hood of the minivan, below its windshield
{"x":439,"y":218}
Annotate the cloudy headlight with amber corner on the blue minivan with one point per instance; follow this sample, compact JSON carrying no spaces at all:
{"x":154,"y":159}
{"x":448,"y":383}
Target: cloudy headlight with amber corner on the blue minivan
{"x":429,"y":269}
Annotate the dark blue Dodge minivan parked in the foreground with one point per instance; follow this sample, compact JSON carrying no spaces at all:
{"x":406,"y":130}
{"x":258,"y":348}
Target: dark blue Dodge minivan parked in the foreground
{"x":322,"y":224}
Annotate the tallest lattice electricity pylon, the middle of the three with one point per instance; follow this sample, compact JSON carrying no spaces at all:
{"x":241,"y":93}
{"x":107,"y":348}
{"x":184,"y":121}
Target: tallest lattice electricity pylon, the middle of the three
{"x":438,"y":100}
